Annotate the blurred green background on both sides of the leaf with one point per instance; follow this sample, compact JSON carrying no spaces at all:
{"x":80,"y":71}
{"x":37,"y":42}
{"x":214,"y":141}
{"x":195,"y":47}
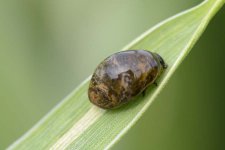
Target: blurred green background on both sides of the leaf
{"x":48,"y":47}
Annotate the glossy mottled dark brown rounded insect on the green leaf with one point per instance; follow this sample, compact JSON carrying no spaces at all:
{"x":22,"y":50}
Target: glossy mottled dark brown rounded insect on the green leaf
{"x":122,"y":76}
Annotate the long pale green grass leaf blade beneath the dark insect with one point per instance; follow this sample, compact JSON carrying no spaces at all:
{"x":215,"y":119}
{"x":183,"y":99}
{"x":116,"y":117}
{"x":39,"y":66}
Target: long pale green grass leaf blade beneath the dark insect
{"x":76,"y":124}
